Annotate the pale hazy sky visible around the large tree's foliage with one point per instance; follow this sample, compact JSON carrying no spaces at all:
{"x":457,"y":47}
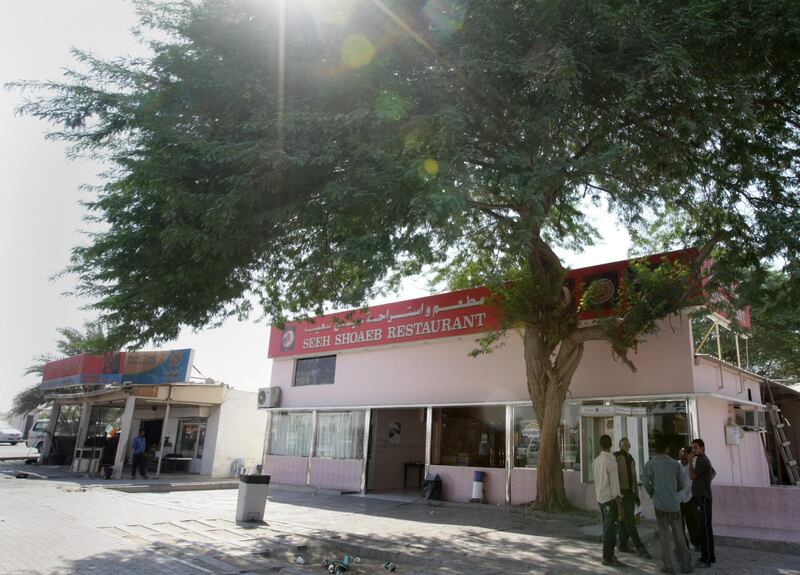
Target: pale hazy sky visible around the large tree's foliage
{"x":40,"y":217}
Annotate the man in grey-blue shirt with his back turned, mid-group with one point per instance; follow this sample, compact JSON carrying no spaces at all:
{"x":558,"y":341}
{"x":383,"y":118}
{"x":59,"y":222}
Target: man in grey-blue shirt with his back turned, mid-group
{"x":663,"y":481}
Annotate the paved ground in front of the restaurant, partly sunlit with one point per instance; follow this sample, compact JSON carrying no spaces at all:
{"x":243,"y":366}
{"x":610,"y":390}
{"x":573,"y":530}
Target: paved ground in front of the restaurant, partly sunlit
{"x":54,"y":527}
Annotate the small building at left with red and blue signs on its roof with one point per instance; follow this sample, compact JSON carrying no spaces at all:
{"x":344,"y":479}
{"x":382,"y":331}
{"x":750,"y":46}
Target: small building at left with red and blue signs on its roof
{"x":102,"y":402}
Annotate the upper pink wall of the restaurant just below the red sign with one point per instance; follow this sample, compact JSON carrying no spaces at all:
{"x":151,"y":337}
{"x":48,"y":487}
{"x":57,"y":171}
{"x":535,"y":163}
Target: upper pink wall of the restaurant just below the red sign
{"x":441,"y":372}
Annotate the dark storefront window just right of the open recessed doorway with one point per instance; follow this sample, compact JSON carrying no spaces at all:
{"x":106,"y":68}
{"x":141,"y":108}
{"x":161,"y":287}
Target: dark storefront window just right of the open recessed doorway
{"x":470,"y":436}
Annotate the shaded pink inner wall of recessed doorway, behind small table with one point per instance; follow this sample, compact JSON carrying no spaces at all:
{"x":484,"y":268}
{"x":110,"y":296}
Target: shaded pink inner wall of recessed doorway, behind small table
{"x":387,"y":468}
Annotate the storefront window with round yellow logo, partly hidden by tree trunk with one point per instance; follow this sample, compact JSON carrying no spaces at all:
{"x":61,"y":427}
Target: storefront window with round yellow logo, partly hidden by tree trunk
{"x":527,"y":437}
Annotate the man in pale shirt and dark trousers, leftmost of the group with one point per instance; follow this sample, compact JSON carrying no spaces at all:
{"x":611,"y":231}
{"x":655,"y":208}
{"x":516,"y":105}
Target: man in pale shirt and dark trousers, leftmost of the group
{"x":606,"y":484}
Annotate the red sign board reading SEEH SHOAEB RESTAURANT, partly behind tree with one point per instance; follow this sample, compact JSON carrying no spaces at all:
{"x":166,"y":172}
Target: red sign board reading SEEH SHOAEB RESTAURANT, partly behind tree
{"x":451,"y":314}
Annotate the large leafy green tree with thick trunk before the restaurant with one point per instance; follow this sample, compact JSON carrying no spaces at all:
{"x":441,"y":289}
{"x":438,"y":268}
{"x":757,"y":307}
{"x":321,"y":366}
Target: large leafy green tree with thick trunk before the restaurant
{"x":307,"y":154}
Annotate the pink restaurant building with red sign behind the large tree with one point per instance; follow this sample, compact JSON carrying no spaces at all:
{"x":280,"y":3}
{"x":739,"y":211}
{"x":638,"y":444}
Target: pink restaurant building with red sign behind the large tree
{"x":373,"y":400}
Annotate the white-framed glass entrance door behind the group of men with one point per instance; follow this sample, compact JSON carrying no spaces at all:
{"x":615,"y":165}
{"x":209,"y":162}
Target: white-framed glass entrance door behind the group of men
{"x":617,"y":422}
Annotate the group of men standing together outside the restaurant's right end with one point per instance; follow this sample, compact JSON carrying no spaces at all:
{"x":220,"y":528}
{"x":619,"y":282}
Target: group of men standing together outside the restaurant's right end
{"x":681,"y":494}
